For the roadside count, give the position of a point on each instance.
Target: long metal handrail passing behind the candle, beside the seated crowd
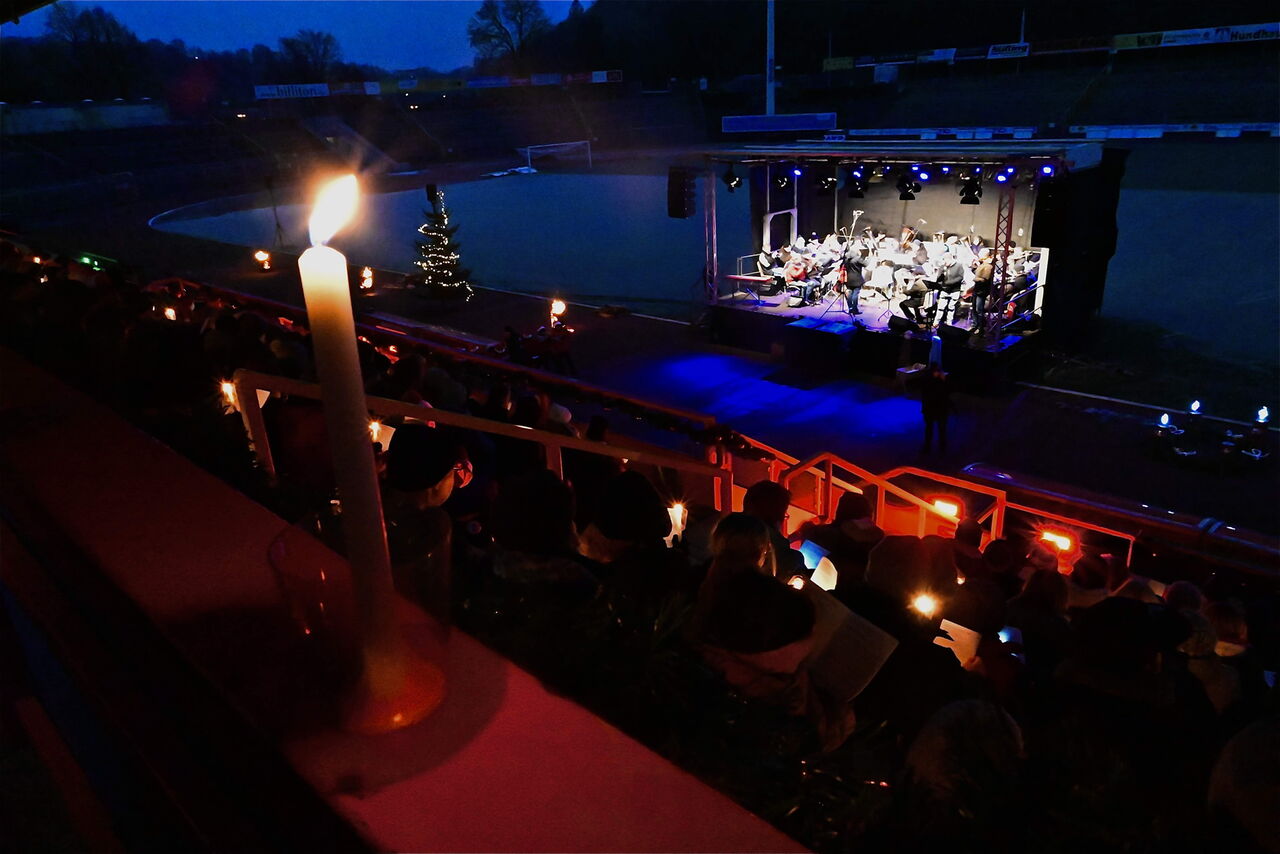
(248, 385)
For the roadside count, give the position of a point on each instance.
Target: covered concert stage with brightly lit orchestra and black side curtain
(922, 226)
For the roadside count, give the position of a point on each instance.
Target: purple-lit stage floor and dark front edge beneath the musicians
(824, 341)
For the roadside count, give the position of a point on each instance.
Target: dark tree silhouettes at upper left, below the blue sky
(89, 54)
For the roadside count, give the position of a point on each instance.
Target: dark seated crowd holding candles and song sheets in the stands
(947, 693)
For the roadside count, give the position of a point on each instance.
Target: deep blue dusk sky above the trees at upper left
(392, 34)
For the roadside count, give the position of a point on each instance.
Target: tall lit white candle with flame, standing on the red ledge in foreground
(397, 688)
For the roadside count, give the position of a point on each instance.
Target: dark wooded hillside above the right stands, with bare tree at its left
(653, 40)
